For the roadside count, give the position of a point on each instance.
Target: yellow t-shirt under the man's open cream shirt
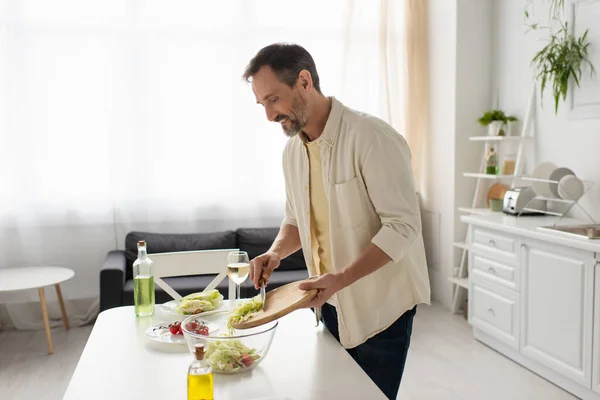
(319, 212)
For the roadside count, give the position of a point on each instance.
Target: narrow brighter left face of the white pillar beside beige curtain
(438, 195)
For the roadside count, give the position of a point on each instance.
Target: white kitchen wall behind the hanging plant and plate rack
(566, 142)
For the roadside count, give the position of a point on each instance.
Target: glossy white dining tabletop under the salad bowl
(304, 362)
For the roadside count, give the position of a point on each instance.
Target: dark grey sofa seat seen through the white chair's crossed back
(183, 285)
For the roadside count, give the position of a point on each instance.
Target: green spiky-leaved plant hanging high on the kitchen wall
(562, 59)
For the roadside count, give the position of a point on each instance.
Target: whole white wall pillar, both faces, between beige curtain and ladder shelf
(460, 77)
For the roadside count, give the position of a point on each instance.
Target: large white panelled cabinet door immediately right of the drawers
(557, 309)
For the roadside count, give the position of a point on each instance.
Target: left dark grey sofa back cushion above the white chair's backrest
(170, 242)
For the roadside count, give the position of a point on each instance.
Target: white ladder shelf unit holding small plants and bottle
(460, 279)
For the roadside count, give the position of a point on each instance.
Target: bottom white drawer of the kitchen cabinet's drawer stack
(495, 313)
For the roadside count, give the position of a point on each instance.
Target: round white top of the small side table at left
(12, 279)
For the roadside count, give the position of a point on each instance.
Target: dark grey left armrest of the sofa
(112, 279)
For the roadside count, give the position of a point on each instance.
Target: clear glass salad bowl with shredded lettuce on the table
(241, 352)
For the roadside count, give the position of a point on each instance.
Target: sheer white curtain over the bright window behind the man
(118, 115)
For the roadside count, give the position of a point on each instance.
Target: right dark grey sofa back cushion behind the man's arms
(256, 241)
